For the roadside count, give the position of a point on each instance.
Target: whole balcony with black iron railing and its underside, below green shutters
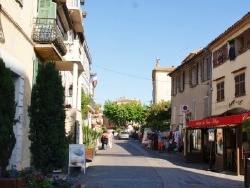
(48, 39)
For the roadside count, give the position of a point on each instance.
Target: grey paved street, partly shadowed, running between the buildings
(130, 165)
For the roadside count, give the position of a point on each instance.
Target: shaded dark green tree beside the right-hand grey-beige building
(159, 116)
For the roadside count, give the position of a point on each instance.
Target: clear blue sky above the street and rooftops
(126, 36)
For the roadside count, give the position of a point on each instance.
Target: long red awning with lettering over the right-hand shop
(219, 121)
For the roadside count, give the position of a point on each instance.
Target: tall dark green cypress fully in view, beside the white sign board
(47, 121)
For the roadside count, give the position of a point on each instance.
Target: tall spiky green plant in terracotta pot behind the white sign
(90, 137)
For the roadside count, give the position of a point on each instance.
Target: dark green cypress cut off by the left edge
(7, 115)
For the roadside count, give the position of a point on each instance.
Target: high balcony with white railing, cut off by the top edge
(75, 12)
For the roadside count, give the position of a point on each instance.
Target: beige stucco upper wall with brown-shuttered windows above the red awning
(226, 70)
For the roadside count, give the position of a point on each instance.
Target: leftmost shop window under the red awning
(194, 140)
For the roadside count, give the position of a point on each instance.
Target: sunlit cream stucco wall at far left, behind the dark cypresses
(17, 27)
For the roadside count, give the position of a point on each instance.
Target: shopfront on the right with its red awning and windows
(218, 140)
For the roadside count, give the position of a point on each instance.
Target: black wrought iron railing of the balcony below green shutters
(45, 31)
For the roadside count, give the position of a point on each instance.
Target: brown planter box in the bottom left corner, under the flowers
(12, 182)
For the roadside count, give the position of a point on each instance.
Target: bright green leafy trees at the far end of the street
(120, 114)
